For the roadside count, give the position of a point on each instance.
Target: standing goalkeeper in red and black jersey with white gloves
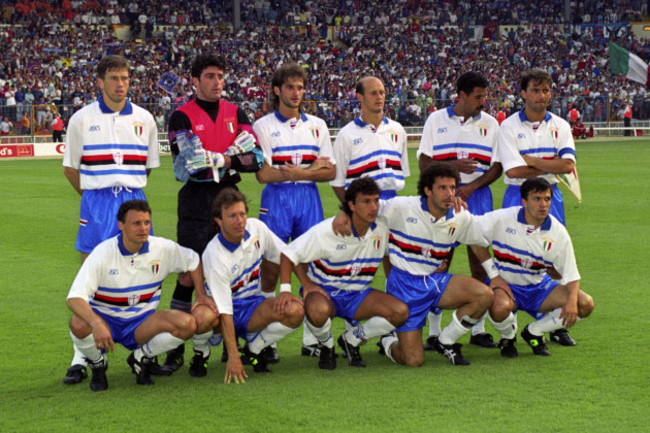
(211, 141)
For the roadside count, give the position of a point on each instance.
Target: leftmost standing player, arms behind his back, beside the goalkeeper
(111, 147)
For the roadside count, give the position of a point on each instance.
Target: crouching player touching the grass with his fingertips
(231, 263)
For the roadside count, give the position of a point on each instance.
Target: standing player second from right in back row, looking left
(466, 137)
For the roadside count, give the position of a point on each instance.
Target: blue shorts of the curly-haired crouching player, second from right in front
(420, 293)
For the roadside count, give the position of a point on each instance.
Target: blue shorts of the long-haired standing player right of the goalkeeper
(290, 209)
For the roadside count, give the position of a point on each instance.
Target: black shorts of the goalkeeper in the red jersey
(194, 228)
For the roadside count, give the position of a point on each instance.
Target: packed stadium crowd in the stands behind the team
(51, 47)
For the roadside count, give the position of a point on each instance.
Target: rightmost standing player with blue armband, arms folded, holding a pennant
(535, 142)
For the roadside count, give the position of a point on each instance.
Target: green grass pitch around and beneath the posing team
(601, 385)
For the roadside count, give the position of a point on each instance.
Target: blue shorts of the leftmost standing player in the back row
(98, 214)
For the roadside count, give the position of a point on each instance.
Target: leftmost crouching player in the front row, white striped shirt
(117, 290)
